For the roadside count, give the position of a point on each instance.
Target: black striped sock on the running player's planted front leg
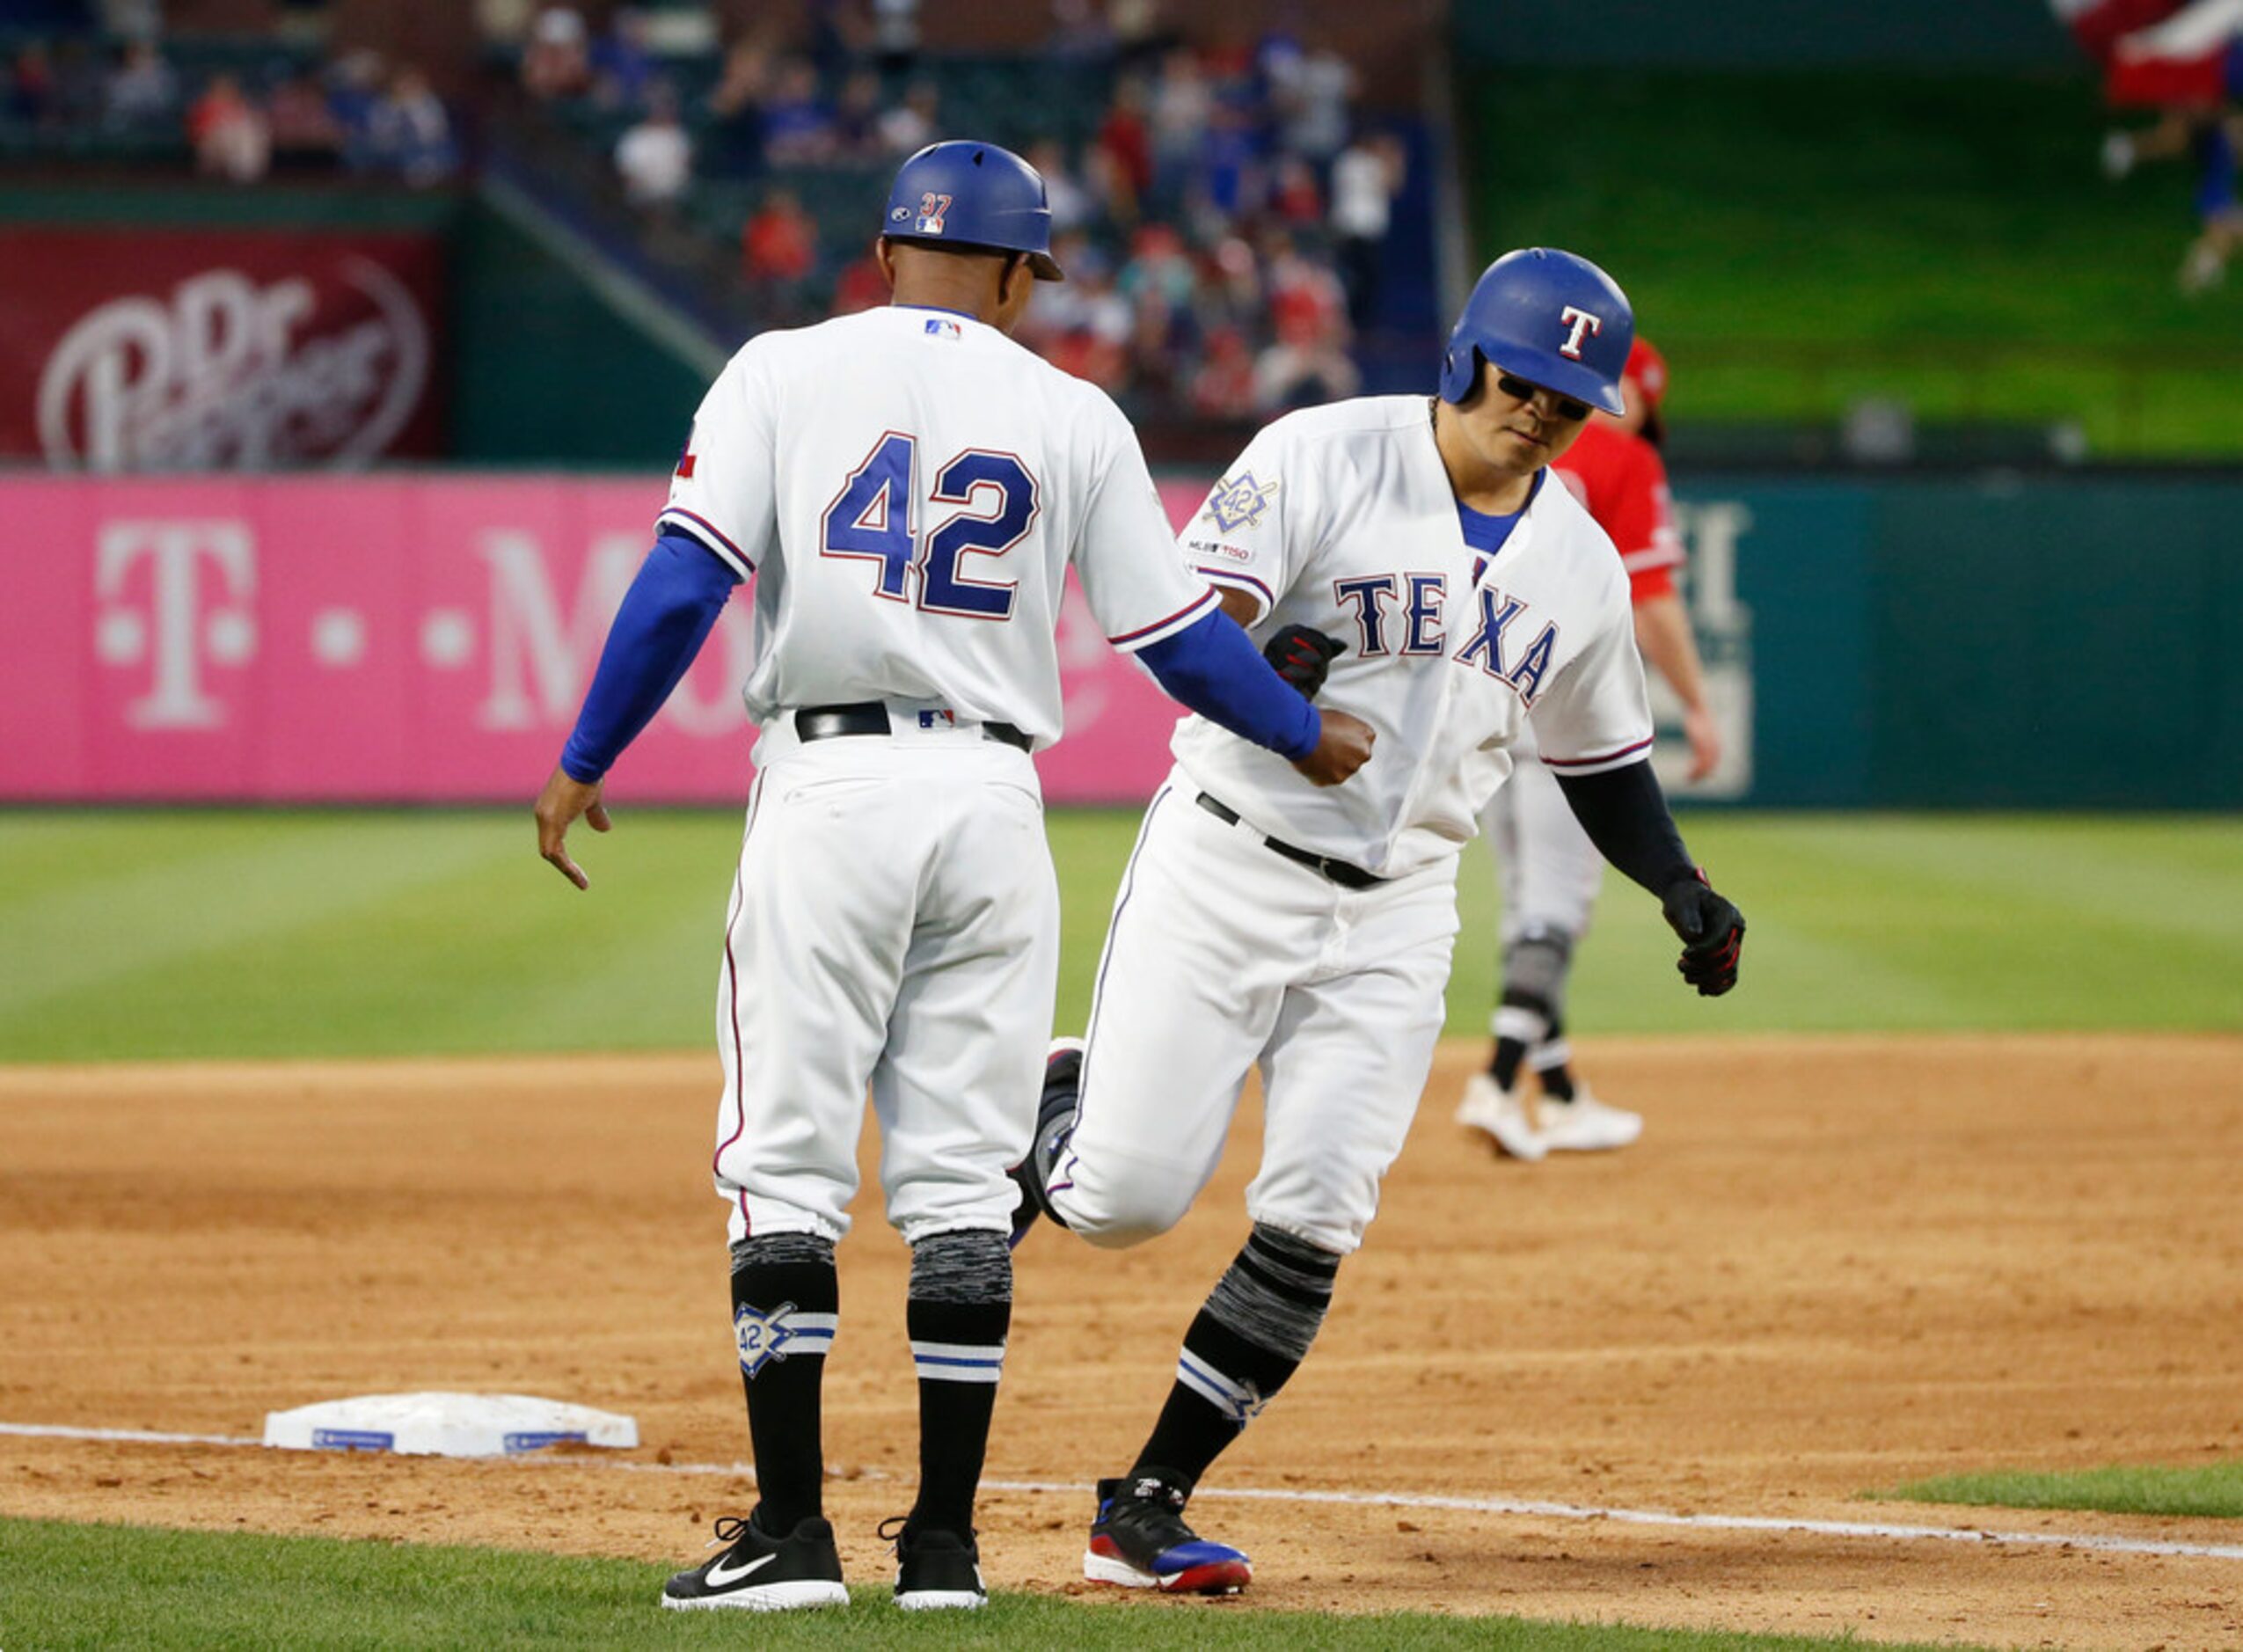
(1239, 1352)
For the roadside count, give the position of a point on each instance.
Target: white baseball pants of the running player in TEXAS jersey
(1226, 955)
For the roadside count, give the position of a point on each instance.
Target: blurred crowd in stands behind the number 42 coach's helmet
(1221, 214)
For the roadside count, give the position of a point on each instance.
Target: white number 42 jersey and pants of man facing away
(907, 488)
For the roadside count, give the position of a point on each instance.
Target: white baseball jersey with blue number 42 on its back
(912, 542)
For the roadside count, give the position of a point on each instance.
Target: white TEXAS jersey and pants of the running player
(1224, 955)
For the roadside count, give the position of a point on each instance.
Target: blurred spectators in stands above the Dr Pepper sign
(118, 86)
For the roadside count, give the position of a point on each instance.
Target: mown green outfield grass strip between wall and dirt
(250, 935)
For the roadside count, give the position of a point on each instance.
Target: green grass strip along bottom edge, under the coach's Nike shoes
(107, 1588)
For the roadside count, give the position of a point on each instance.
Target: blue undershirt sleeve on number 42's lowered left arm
(665, 618)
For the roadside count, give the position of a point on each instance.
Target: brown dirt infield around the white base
(1831, 1265)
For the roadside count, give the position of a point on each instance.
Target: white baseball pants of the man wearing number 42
(896, 924)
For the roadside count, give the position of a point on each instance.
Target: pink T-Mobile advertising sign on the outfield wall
(403, 639)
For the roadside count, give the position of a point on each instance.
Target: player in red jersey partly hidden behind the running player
(1551, 872)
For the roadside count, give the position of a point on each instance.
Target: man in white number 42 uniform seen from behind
(907, 490)
